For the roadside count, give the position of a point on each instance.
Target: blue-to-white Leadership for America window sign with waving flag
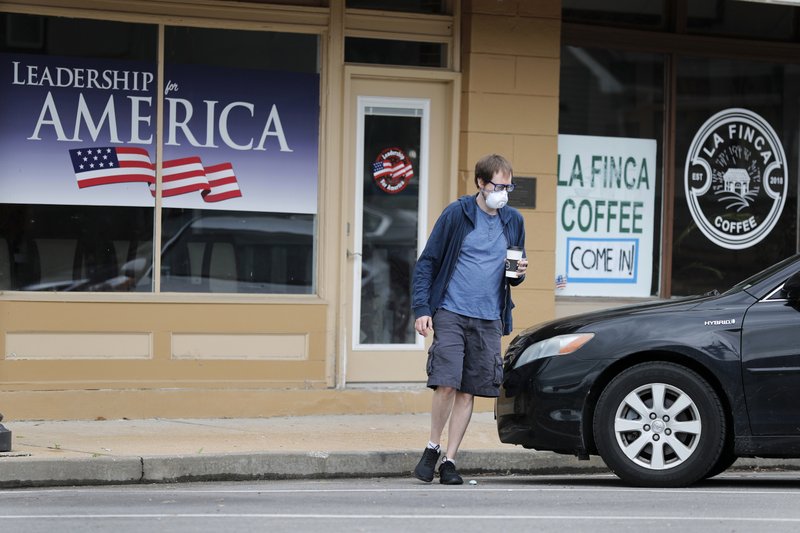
(79, 131)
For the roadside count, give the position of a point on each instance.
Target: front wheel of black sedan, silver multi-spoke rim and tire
(659, 424)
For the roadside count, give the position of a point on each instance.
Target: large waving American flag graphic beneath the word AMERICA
(122, 164)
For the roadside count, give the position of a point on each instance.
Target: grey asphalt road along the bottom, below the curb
(749, 502)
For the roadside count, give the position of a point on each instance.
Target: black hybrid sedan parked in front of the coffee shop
(667, 393)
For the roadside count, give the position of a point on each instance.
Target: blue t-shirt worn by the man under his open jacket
(476, 285)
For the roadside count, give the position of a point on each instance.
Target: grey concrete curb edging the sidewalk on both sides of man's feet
(18, 472)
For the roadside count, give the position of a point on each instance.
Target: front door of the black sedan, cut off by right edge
(771, 365)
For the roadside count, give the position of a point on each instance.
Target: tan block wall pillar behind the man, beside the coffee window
(511, 56)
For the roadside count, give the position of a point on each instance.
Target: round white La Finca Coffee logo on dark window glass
(735, 180)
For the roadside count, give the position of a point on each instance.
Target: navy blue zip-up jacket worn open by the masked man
(437, 263)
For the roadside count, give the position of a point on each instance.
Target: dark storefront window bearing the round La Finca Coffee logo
(736, 150)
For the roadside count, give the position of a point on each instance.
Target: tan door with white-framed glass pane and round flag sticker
(400, 162)
